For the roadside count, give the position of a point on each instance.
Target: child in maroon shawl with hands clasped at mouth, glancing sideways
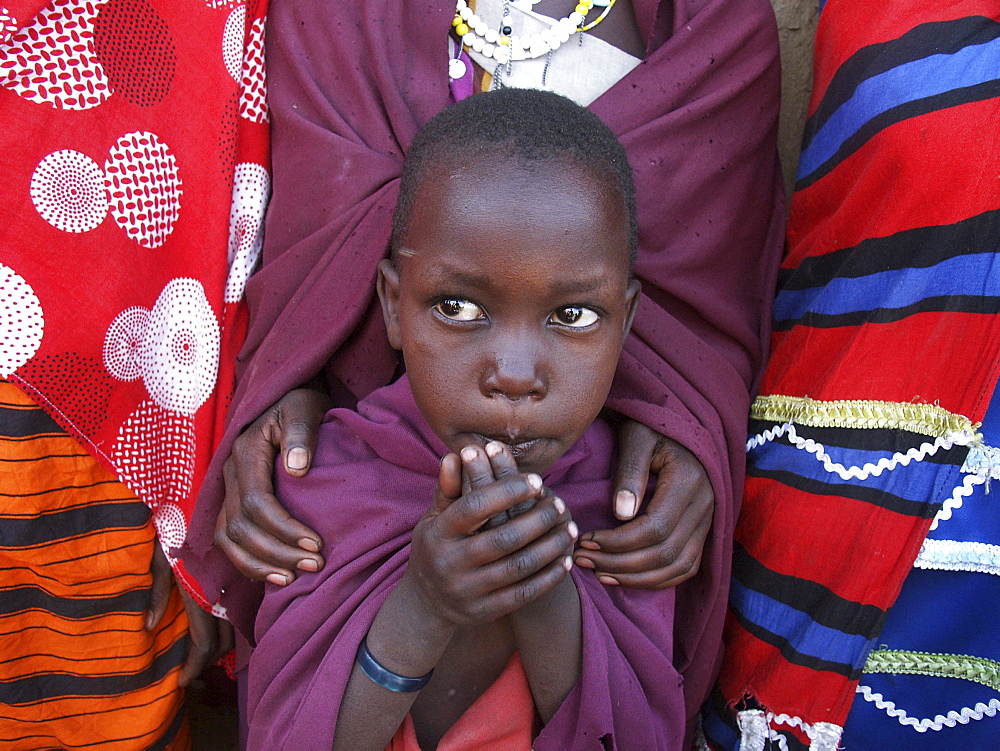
(449, 613)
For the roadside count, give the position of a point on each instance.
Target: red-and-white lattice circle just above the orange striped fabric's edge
(154, 455)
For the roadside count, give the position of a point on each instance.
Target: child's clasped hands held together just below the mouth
(468, 569)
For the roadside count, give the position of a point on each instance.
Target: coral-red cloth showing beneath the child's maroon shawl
(502, 718)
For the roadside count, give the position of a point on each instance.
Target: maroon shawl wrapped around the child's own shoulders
(373, 479)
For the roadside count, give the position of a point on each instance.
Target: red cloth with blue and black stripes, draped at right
(886, 352)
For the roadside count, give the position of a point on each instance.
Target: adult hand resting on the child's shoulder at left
(261, 539)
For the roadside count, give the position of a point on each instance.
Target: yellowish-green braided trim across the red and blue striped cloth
(925, 419)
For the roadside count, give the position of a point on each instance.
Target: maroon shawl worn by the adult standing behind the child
(349, 88)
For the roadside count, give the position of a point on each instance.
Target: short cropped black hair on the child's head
(523, 124)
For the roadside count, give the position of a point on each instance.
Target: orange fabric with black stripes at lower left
(77, 667)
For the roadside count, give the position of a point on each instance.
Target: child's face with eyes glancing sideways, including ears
(511, 303)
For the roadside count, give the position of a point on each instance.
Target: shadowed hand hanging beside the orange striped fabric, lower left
(211, 637)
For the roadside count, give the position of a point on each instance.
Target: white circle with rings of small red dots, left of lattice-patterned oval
(67, 189)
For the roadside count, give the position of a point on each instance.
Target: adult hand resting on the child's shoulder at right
(662, 547)
